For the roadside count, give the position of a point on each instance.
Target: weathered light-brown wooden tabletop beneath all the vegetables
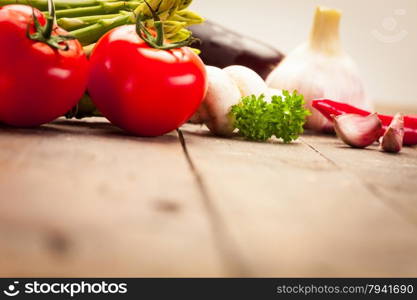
(81, 198)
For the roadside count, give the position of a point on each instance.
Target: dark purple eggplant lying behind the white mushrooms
(221, 47)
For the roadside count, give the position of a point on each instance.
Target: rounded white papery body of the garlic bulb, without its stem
(316, 76)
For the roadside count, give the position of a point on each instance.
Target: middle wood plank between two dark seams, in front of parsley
(293, 212)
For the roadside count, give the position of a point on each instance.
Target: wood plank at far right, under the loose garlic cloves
(391, 178)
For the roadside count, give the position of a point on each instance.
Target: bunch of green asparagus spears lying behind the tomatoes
(89, 20)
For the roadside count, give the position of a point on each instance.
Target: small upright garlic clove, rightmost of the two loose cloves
(392, 140)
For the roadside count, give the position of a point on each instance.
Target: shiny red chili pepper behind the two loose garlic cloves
(330, 108)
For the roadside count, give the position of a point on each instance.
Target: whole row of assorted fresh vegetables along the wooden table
(143, 77)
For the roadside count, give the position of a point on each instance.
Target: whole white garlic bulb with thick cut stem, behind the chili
(321, 69)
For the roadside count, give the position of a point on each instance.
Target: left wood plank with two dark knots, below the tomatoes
(83, 199)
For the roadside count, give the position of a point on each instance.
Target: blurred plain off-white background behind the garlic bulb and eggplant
(381, 35)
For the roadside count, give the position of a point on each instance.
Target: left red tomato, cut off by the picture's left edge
(37, 82)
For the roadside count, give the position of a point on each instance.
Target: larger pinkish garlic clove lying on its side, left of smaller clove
(358, 131)
